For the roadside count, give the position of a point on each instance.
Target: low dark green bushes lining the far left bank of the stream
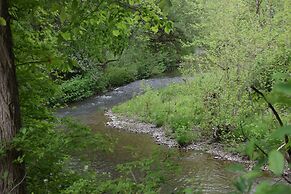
(137, 62)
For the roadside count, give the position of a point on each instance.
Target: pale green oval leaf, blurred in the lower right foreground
(276, 162)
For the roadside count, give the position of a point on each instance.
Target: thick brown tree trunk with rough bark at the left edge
(12, 173)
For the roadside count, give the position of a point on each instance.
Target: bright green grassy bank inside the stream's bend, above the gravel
(208, 107)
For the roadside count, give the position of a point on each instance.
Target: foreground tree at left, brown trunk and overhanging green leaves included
(41, 30)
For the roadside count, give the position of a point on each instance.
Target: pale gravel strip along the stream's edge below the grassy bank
(160, 137)
